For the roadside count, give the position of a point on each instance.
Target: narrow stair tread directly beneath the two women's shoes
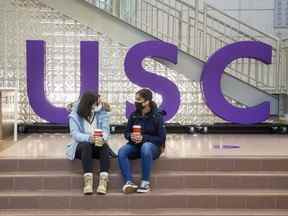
(155, 192)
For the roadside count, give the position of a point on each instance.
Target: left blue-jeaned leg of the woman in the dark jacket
(126, 151)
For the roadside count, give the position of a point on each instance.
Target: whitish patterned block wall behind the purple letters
(23, 20)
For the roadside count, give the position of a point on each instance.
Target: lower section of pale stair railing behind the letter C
(221, 29)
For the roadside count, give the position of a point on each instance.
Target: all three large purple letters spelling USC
(210, 80)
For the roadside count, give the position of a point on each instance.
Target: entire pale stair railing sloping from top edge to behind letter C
(200, 30)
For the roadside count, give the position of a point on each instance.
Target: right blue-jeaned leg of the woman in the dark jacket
(149, 152)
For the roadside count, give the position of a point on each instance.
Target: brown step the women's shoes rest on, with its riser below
(157, 199)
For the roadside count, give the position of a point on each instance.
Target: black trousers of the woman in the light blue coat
(86, 152)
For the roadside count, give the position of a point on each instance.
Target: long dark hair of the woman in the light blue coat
(87, 100)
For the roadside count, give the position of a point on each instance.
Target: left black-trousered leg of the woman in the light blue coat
(84, 152)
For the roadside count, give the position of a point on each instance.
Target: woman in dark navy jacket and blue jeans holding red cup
(147, 145)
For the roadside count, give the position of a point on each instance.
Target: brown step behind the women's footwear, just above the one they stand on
(70, 180)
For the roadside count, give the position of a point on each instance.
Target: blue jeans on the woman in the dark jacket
(147, 152)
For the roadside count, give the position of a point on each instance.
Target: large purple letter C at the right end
(211, 82)
